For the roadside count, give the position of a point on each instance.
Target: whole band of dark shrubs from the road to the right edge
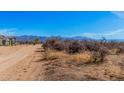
(99, 49)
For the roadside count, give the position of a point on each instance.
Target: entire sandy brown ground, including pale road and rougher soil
(25, 63)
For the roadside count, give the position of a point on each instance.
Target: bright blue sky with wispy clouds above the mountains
(93, 24)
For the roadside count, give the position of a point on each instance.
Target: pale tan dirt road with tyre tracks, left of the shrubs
(20, 62)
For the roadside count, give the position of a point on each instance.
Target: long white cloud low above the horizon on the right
(115, 34)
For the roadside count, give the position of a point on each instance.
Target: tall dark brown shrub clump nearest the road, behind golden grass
(70, 46)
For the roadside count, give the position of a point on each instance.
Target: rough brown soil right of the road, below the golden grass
(112, 69)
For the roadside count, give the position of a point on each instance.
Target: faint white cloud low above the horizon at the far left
(7, 32)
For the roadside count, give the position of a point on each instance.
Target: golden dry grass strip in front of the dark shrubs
(79, 58)
